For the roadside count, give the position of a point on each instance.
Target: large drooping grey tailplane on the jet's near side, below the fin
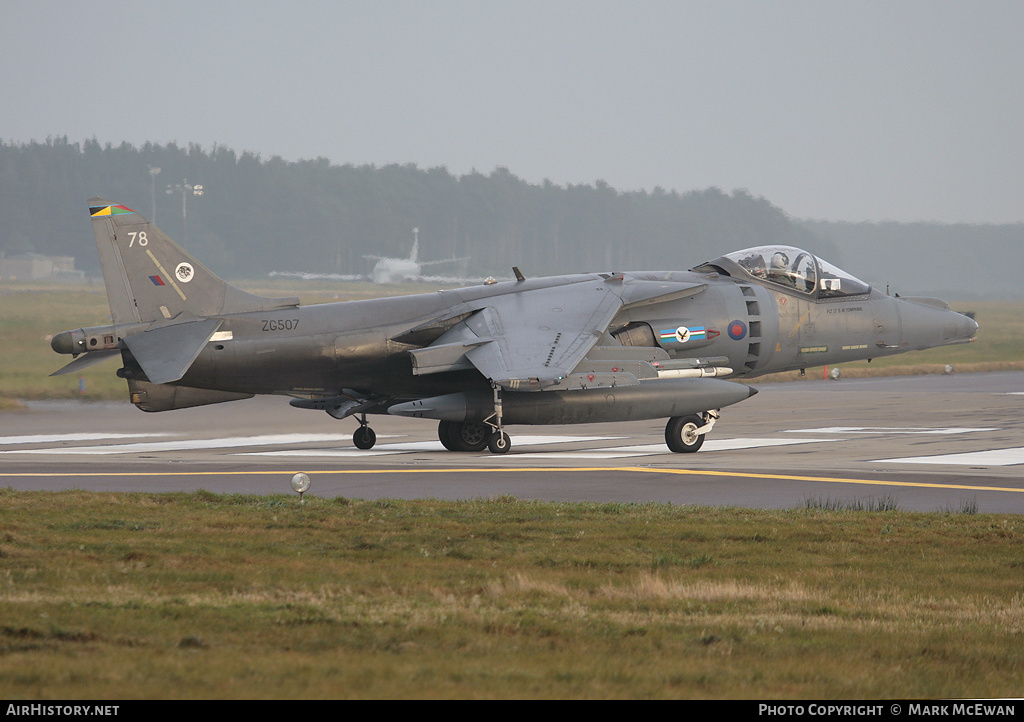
(165, 354)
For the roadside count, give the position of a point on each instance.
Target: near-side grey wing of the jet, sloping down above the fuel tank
(534, 339)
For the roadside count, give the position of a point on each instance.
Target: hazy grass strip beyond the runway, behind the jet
(31, 314)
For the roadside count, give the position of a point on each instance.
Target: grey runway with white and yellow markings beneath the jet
(928, 443)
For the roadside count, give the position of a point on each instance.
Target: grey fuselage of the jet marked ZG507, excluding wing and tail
(321, 351)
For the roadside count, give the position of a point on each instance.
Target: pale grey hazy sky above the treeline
(834, 110)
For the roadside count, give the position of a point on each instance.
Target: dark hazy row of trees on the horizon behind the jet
(261, 216)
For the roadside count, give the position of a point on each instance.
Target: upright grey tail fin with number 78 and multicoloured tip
(150, 278)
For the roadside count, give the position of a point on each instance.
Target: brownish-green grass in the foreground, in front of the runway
(207, 597)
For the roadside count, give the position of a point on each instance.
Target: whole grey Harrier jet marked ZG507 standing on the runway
(590, 348)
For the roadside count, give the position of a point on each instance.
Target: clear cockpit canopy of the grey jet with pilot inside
(794, 270)
